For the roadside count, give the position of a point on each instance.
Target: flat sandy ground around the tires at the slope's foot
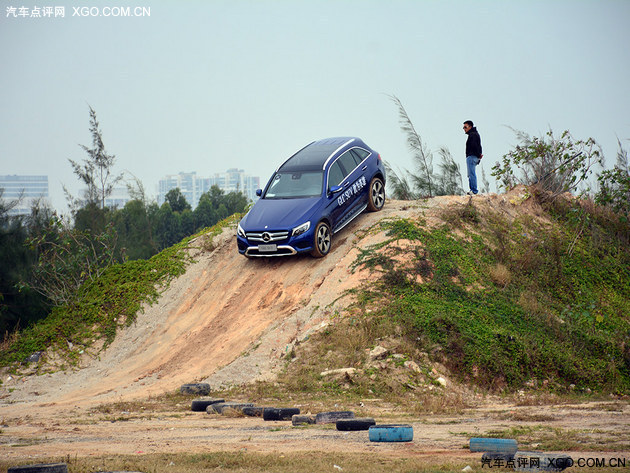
(45, 432)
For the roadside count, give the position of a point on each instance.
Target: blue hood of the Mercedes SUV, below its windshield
(276, 214)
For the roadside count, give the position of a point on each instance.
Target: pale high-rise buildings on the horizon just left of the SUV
(192, 186)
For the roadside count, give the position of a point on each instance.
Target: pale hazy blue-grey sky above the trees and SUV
(207, 85)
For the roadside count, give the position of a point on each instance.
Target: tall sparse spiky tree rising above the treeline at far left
(95, 171)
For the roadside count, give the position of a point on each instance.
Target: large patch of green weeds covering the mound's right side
(508, 303)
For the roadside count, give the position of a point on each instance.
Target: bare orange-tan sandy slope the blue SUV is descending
(224, 306)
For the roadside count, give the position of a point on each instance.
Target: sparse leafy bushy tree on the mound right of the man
(555, 165)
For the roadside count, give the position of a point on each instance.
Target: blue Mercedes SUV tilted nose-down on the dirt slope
(311, 196)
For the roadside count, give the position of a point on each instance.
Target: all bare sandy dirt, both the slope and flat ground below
(229, 321)
